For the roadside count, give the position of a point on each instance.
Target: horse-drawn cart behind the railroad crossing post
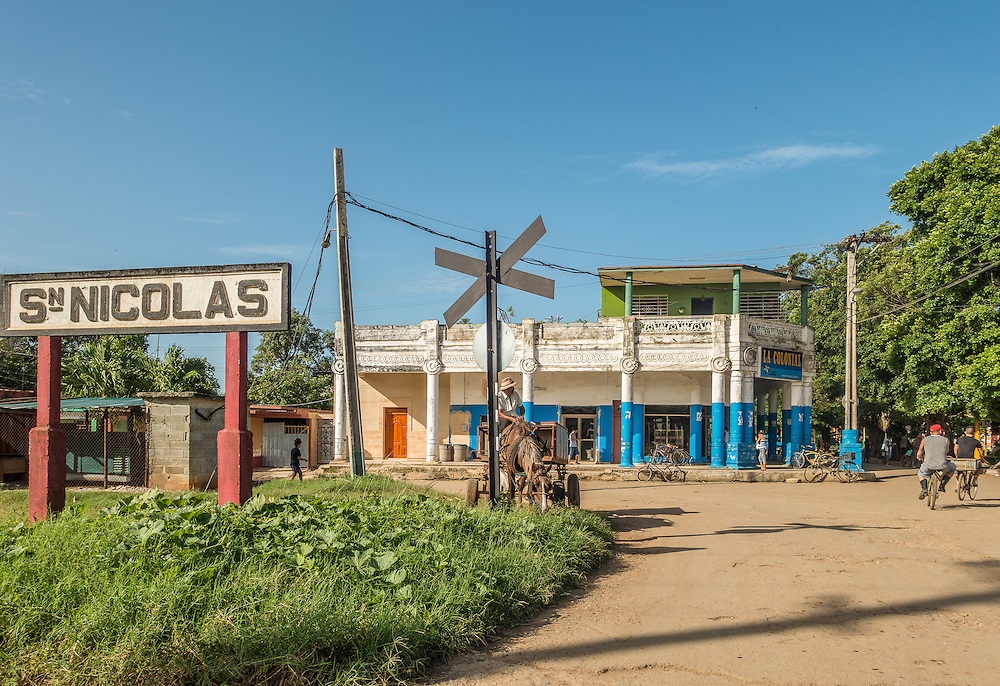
(554, 485)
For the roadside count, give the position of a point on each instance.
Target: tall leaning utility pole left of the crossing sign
(352, 398)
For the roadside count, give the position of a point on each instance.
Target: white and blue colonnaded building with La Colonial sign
(697, 356)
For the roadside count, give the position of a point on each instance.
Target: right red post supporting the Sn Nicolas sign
(234, 441)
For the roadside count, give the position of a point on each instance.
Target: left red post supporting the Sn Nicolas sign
(47, 441)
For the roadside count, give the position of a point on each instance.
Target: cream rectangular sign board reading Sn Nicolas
(242, 297)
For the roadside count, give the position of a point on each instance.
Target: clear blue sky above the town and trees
(190, 133)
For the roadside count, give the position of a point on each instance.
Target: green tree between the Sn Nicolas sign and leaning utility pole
(294, 366)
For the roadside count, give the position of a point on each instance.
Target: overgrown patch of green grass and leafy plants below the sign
(337, 581)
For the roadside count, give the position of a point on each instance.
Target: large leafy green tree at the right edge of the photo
(947, 326)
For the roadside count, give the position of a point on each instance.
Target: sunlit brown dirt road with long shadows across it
(771, 583)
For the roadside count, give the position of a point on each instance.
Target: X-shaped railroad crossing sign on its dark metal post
(489, 273)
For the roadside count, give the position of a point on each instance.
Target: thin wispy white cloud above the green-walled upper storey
(770, 159)
